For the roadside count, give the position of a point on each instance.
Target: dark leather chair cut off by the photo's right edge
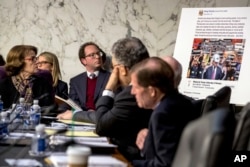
(242, 132)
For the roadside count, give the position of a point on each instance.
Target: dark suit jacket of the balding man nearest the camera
(165, 127)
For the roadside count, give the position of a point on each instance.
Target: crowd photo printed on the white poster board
(216, 59)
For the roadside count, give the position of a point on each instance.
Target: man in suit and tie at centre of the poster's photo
(214, 71)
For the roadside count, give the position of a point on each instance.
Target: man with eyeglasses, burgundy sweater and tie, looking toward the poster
(87, 87)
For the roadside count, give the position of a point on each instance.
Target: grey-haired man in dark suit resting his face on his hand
(119, 117)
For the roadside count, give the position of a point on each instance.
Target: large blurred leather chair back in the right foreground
(207, 141)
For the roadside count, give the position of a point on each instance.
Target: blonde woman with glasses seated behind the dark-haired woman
(49, 61)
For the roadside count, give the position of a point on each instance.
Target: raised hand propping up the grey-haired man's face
(113, 82)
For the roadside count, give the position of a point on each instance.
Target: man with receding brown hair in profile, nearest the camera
(154, 86)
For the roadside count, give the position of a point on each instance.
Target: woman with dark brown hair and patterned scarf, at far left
(21, 80)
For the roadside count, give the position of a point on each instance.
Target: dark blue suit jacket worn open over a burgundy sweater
(78, 87)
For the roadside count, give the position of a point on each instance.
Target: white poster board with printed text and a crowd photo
(210, 36)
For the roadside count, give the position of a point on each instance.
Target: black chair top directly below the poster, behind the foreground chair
(221, 98)
